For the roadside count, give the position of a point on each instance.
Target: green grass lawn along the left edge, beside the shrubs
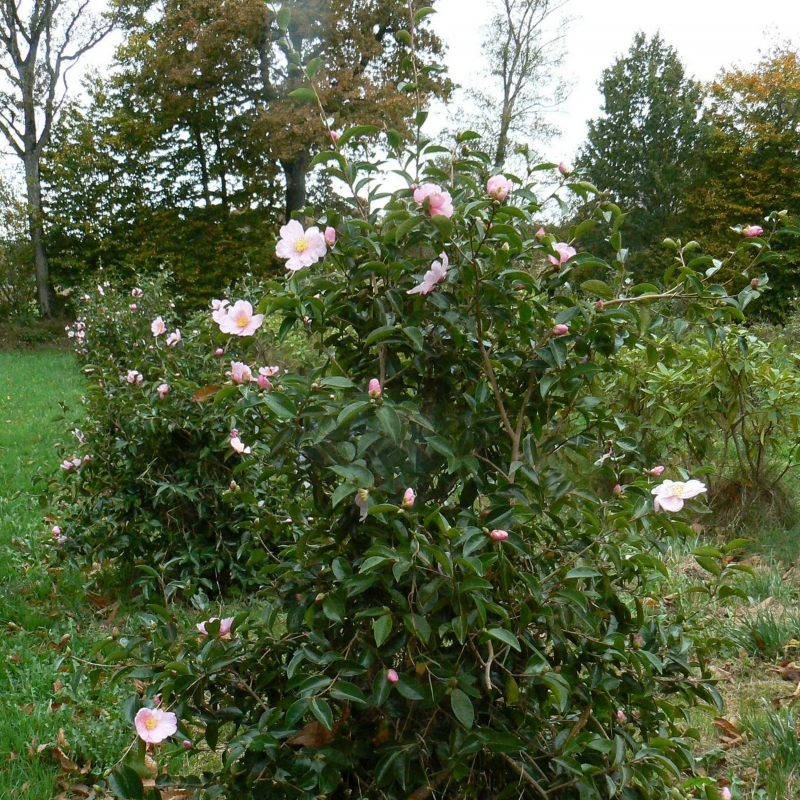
(44, 615)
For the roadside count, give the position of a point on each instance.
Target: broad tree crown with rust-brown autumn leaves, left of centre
(216, 75)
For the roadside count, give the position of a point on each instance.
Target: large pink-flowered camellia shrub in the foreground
(456, 541)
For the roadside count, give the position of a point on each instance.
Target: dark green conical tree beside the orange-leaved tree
(642, 147)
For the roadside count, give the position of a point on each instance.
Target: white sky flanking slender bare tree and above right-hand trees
(708, 35)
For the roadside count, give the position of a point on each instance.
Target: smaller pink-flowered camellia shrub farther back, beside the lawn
(146, 481)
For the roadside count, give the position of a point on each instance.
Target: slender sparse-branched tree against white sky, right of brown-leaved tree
(524, 47)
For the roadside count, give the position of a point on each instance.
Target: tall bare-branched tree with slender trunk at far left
(39, 41)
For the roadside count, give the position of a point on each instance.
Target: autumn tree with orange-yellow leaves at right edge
(748, 166)
